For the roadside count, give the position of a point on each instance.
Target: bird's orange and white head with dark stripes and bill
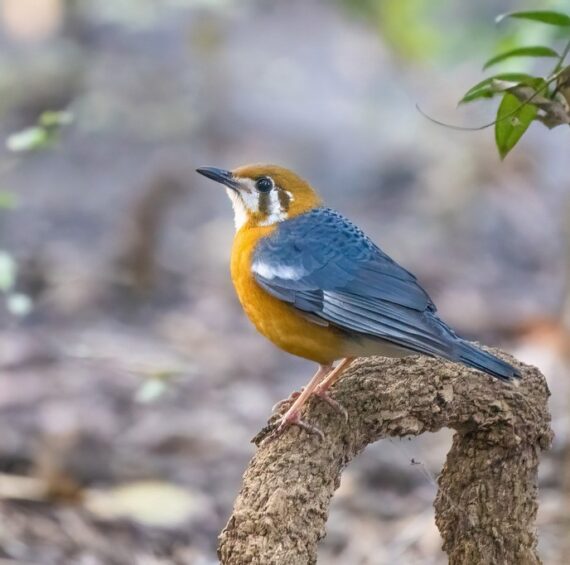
(263, 195)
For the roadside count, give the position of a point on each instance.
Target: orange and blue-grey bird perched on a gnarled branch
(318, 287)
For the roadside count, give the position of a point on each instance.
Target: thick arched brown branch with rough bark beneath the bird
(487, 499)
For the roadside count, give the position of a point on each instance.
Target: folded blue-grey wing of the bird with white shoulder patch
(325, 266)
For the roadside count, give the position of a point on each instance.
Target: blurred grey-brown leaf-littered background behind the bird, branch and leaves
(130, 381)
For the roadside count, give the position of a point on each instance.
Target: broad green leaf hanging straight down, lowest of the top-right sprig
(513, 119)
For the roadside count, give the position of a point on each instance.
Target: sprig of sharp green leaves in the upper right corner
(525, 97)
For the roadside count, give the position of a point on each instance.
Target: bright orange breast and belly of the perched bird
(276, 320)
